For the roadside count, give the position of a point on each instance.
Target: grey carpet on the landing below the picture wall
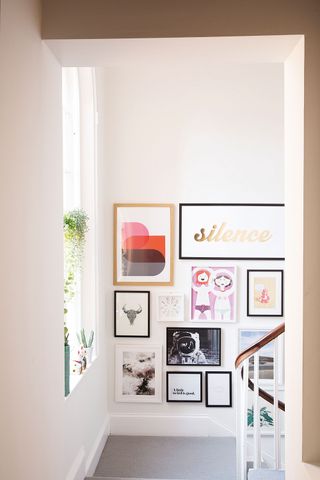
(174, 458)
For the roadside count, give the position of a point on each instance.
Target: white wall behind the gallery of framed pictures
(174, 134)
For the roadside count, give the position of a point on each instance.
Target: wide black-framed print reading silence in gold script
(234, 231)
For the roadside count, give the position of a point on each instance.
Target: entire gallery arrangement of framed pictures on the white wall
(143, 255)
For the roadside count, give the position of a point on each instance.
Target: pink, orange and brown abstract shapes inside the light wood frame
(142, 254)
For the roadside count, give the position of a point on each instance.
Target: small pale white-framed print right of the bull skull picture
(170, 307)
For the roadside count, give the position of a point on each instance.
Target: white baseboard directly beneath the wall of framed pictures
(161, 425)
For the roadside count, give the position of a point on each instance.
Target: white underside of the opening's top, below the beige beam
(117, 52)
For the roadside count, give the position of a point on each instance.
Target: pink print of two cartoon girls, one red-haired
(213, 294)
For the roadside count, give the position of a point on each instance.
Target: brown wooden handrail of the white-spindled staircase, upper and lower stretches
(269, 337)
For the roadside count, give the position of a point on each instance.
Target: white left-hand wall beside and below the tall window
(42, 435)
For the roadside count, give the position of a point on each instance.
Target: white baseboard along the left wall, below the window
(85, 464)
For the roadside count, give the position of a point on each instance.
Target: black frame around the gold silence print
(181, 205)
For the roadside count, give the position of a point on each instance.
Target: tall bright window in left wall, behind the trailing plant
(79, 190)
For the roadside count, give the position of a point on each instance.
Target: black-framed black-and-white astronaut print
(193, 346)
